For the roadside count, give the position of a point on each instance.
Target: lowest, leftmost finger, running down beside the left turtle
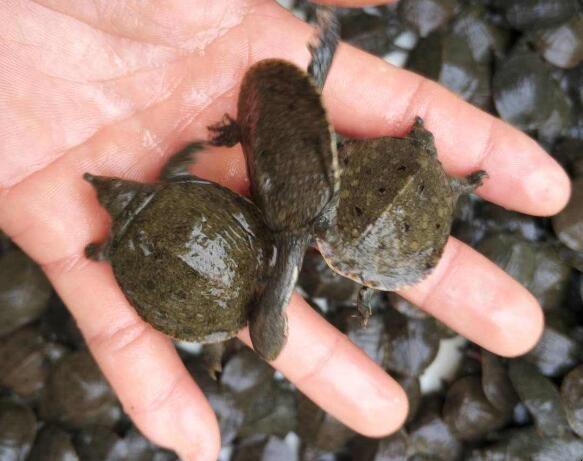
(141, 364)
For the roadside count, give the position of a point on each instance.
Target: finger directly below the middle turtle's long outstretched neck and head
(337, 375)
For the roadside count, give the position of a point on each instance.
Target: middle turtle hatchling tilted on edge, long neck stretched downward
(292, 162)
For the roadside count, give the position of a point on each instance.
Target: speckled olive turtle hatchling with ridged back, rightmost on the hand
(394, 212)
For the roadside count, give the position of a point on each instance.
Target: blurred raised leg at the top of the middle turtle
(323, 46)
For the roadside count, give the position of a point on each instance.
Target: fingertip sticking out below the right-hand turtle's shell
(476, 298)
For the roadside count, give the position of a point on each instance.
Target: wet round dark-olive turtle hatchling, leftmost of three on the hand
(189, 254)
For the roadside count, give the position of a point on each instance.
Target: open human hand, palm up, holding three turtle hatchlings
(115, 88)
